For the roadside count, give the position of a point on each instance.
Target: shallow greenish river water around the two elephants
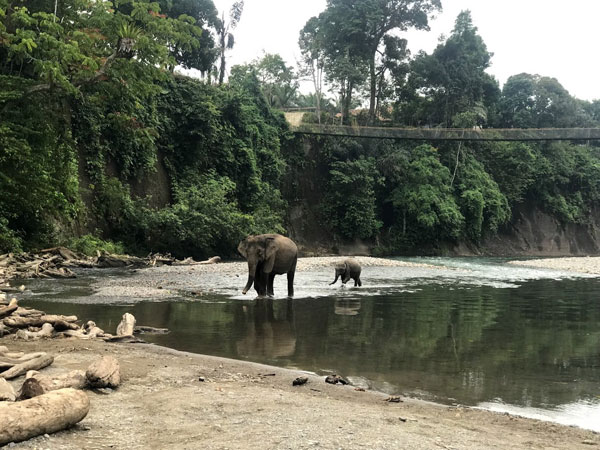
(475, 331)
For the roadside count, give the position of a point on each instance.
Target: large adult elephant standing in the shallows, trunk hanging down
(269, 255)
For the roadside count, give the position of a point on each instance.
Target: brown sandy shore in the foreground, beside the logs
(163, 403)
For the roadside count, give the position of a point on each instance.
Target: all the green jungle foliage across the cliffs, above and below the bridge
(103, 146)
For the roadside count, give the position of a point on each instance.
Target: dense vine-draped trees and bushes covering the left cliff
(89, 112)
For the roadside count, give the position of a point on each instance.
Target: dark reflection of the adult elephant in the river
(268, 336)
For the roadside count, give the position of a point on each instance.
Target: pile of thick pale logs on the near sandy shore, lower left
(46, 404)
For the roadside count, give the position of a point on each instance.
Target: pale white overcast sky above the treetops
(555, 38)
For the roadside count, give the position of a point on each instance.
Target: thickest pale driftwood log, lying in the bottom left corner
(48, 413)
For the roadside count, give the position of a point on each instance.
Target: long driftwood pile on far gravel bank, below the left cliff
(57, 262)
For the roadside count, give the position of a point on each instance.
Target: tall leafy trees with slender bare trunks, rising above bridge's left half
(355, 41)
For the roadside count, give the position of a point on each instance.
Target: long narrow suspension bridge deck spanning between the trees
(452, 134)
